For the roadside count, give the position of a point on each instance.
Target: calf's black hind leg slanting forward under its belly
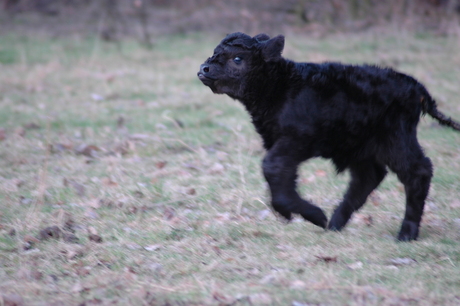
(365, 177)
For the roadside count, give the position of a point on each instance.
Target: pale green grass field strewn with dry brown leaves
(124, 180)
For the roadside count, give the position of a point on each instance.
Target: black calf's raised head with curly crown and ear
(239, 60)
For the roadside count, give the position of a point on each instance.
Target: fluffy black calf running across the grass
(363, 118)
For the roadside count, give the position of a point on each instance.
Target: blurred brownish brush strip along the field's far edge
(115, 20)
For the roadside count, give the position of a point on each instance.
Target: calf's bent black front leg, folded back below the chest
(280, 170)
